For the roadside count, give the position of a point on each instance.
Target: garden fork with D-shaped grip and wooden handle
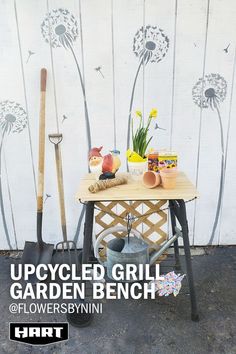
(69, 246)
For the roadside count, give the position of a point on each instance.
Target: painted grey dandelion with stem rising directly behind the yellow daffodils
(150, 46)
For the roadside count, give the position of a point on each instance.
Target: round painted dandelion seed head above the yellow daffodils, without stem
(150, 44)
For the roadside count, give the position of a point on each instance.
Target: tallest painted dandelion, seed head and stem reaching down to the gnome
(60, 29)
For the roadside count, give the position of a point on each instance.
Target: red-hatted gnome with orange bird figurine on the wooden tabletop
(104, 167)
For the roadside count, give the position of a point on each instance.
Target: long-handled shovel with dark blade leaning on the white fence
(39, 252)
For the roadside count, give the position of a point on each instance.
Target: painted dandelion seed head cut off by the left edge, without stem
(13, 117)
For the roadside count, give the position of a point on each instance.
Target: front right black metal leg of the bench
(184, 225)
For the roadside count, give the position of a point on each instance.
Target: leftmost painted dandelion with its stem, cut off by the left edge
(13, 119)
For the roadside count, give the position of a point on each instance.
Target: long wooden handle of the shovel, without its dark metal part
(41, 142)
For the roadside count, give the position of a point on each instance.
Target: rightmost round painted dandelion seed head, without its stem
(209, 91)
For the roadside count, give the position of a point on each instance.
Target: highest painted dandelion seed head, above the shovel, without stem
(60, 28)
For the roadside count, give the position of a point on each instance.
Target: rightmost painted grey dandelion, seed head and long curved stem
(210, 92)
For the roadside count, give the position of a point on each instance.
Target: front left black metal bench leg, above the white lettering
(88, 232)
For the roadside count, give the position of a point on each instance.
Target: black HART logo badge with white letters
(39, 333)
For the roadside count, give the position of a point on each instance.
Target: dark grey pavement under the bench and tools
(148, 326)
